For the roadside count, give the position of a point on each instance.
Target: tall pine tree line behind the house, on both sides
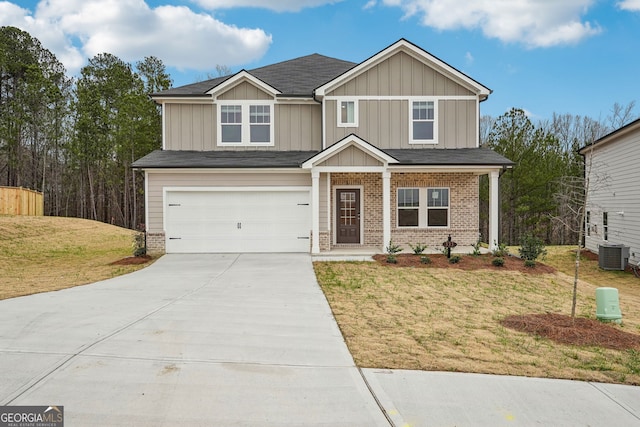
(74, 139)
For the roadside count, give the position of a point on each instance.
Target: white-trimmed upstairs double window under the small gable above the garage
(245, 123)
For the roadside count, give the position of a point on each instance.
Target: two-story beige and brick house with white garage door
(317, 153)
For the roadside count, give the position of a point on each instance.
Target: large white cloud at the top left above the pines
(75, 30)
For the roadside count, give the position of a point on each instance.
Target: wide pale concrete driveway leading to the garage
(213, 339)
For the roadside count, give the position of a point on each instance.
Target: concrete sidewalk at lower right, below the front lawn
(418, 398)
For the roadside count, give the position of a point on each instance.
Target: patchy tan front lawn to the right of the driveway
(449, 319)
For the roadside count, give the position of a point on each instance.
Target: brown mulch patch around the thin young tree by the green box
(579, 331)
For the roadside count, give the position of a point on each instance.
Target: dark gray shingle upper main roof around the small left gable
(295, 77)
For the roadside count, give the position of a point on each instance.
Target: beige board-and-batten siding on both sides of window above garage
(298, 127)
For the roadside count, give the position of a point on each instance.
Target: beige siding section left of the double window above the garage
(189, 126)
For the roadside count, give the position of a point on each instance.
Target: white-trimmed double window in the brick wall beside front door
(423, 207)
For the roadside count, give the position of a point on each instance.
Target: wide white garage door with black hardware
(237, 221)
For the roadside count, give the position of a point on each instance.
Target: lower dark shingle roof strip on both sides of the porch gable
(162, 159)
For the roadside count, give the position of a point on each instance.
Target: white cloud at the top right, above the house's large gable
(534, 23)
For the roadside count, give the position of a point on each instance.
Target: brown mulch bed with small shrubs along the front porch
(467, 262)
